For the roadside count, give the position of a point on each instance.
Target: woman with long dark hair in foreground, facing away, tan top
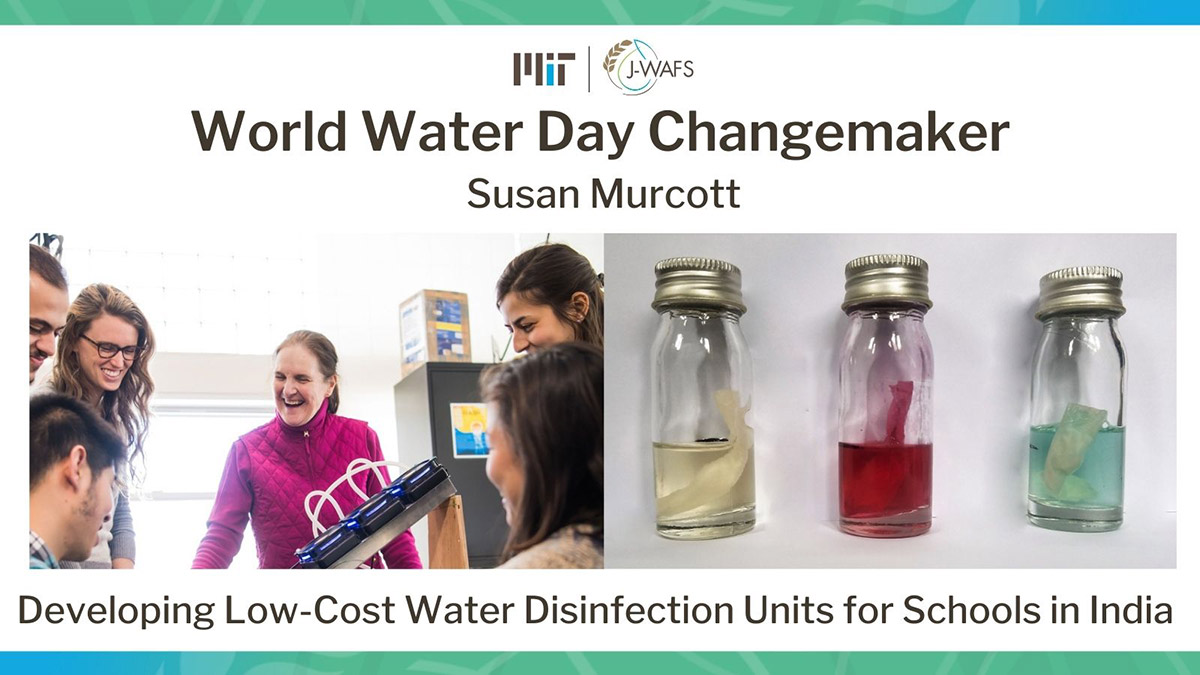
(545, 428)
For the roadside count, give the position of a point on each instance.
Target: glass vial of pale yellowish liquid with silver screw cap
(701, 381)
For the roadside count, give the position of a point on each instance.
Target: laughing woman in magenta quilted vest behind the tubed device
(307, 447)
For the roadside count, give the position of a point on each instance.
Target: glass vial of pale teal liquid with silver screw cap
(1077, 427)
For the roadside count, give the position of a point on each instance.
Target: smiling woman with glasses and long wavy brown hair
(104, 360)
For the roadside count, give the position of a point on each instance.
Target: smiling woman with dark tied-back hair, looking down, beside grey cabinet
(551, 295)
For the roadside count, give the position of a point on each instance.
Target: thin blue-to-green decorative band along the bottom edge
(599, 664)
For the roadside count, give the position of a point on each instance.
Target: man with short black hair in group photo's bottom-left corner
(74, 457)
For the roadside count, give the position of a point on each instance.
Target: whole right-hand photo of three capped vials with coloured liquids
(891, 401)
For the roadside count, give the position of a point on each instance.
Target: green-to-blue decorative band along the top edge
(601, 13)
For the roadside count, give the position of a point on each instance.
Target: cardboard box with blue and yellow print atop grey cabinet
(434, 327)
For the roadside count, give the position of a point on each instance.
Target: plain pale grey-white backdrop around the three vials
(982, 326)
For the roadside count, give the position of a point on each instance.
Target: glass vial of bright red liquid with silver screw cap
(886, 446)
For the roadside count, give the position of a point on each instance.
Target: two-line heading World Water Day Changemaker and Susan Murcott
(668, 132)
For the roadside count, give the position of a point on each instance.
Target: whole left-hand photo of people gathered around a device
(316, 402)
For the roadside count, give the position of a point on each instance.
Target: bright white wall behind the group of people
(352, 289)
